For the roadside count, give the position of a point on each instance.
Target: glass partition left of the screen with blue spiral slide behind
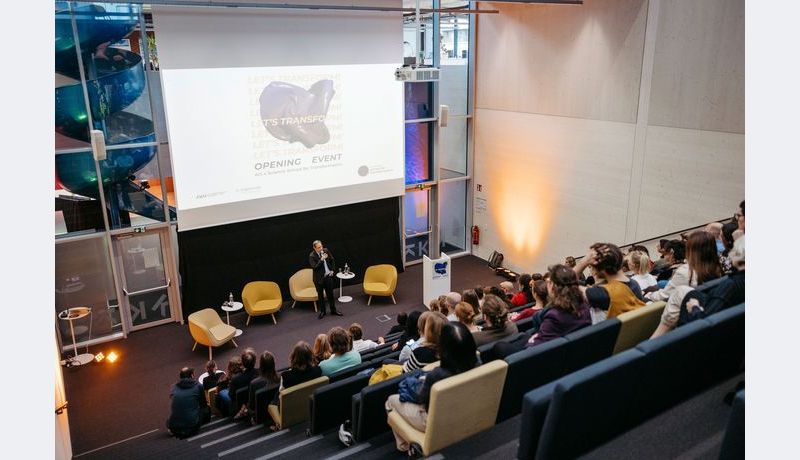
(107, 93)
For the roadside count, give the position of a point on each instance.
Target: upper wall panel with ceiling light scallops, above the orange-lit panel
(577, 61)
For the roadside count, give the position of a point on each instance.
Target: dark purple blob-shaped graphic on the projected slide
(295, 114)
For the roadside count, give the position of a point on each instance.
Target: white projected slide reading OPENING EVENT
(239, 134)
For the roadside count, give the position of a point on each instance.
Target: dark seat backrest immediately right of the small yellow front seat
(330, 404)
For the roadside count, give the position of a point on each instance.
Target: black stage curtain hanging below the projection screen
(217, 260)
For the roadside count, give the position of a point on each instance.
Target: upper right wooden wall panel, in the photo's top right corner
(698, 74)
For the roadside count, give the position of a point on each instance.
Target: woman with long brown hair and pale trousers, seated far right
(702, 265)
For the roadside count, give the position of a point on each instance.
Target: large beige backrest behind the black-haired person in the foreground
(456, 412)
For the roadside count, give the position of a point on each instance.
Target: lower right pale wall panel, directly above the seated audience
(690, 177)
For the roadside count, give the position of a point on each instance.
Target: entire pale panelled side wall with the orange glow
(609, 121)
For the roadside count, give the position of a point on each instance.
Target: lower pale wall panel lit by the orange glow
(550, 186)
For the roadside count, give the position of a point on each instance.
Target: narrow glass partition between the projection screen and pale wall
(438, 156)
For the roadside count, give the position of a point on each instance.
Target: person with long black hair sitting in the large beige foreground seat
(458, 355)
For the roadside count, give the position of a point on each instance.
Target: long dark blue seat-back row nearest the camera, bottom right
(580, 411)
